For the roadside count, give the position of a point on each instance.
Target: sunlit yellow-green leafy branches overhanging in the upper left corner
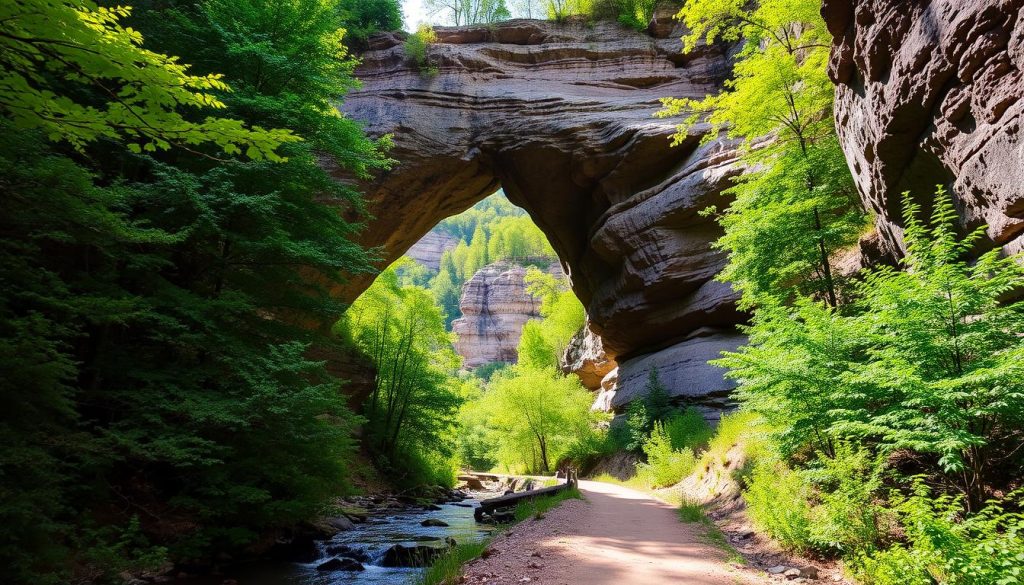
(51, 49)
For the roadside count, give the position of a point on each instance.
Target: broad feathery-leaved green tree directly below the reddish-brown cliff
(928, 360)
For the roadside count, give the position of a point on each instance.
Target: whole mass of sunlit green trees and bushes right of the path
(887, 403)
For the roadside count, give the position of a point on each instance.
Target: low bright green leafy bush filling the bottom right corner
(985, 549)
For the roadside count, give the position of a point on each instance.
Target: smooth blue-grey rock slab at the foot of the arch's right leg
(685, 370)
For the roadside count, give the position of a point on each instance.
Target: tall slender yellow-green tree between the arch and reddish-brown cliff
(798, 204)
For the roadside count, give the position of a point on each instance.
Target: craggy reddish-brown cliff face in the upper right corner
(929, 93)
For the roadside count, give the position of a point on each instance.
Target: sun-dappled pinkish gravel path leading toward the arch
(618, 536)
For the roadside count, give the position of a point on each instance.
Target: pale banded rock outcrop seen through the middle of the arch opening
(495, 306)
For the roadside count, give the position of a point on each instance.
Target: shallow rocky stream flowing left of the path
(380, 532)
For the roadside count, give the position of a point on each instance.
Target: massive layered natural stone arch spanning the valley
(562, 117)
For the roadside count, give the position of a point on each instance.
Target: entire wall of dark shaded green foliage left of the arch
(161, 225)
